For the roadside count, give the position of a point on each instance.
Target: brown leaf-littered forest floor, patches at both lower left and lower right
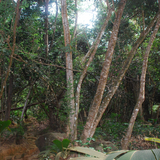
(12, 149)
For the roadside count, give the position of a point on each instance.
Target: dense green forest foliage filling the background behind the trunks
(42, 77)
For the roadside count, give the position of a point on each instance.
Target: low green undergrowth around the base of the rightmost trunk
(114, 131)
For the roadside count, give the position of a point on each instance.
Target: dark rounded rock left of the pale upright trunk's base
(46, 140)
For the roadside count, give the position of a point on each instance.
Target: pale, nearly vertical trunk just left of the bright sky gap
(69, 71)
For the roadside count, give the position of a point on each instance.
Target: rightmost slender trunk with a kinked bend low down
(142, 88)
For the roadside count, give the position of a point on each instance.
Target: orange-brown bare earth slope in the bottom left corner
(12, 149)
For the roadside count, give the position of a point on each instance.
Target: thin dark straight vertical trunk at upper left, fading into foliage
(46, 26)
